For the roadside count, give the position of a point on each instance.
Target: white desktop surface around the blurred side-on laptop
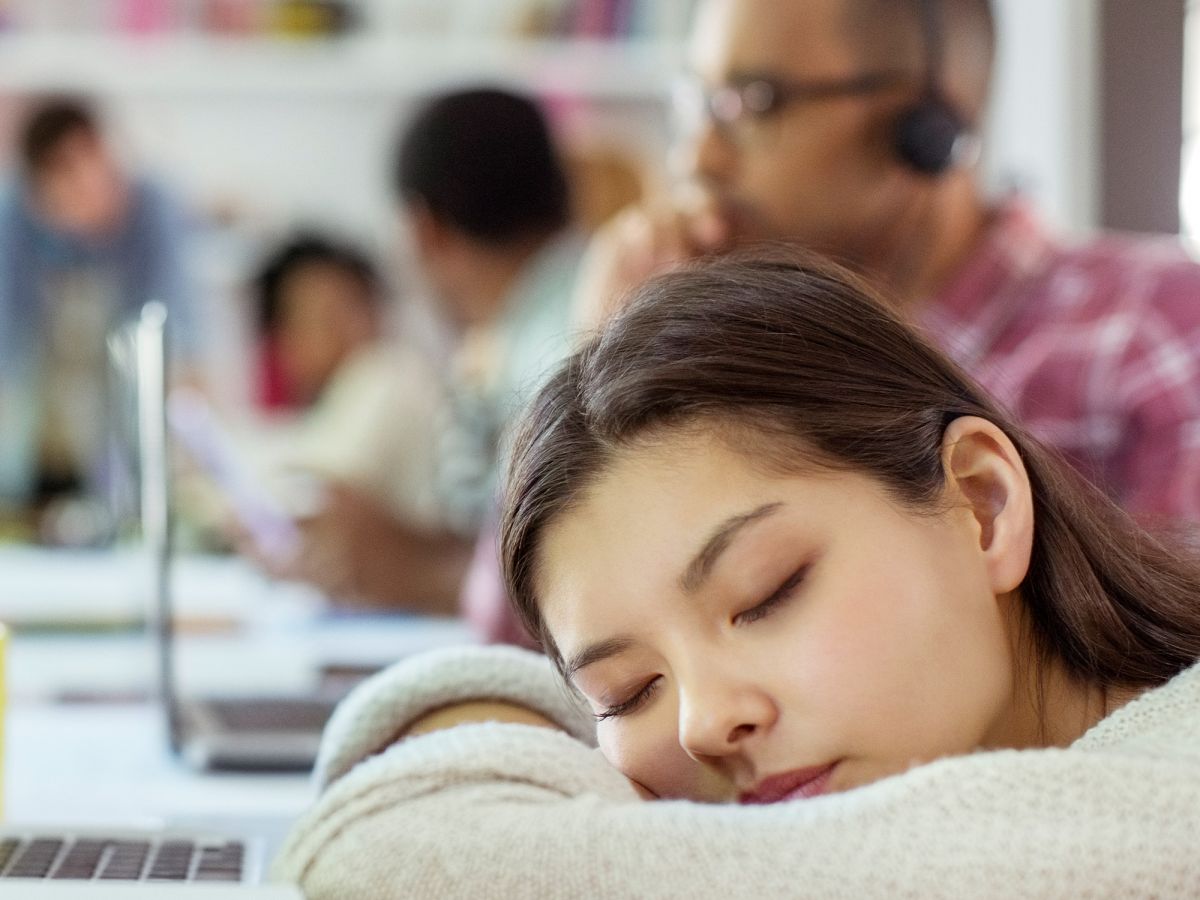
(105, 763)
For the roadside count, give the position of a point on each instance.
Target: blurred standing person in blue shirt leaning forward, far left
(83, 247)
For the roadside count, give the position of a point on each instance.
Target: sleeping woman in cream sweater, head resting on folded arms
(819, 621)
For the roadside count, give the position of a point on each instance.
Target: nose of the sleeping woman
(719, 717)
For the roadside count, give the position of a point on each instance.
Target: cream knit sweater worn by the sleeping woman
(499, 811)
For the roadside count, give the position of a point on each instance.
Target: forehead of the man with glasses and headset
(787, 37)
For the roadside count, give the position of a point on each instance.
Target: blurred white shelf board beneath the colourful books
(349, 67)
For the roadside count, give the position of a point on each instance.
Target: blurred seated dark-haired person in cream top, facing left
(365, 406)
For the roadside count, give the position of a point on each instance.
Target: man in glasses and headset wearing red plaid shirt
(848, 128)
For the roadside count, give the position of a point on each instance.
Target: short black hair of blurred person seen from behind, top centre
(484, 163)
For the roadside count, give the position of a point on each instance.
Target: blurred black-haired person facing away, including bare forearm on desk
(490, 209)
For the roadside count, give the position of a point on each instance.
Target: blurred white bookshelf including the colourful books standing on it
(619, 50)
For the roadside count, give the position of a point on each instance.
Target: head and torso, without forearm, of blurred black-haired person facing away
(489, 203)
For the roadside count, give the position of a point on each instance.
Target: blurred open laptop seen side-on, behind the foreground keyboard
(265, 734)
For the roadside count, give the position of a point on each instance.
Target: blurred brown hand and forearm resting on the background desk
(357, 553)
